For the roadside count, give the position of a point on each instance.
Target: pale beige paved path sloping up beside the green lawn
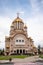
(26, 60)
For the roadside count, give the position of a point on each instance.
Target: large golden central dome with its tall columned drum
(17, 24)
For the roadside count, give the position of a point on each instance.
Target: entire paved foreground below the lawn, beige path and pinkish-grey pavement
(34, 60)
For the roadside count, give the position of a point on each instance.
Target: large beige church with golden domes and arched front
(18, 41)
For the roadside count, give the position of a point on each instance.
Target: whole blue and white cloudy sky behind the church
(30, 11)
